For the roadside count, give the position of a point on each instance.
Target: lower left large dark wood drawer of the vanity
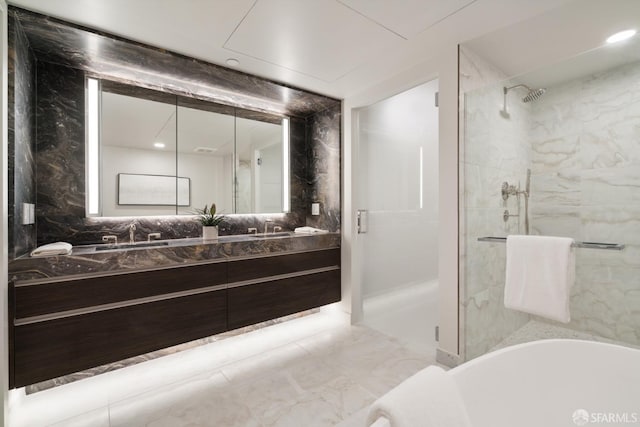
(48, 349)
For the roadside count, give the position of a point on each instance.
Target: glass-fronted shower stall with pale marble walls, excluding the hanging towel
(559, 158)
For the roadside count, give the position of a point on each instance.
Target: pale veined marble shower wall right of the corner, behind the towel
(585, 137)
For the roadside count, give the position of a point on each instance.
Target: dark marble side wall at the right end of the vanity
(324, 178)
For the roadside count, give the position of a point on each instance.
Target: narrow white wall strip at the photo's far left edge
(4, 333)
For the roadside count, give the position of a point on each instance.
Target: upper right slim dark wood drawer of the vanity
(255, 268)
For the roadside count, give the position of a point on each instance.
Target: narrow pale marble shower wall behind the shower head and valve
(493, 149)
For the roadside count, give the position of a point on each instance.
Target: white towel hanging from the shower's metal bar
(539, 276)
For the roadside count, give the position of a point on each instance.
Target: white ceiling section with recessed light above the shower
(563, 44)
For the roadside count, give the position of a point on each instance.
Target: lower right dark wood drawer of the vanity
(258, 302)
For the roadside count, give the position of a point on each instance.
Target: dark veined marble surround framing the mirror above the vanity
(64, 61)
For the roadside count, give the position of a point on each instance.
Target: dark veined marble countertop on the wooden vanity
(92, 259)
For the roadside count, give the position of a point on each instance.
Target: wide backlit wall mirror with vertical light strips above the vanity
(153, 153)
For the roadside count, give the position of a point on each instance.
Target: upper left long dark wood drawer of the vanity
(35, 299)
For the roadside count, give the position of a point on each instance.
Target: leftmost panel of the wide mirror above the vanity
(137, 138)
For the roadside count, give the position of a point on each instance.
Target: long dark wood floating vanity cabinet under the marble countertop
(67, 325)
